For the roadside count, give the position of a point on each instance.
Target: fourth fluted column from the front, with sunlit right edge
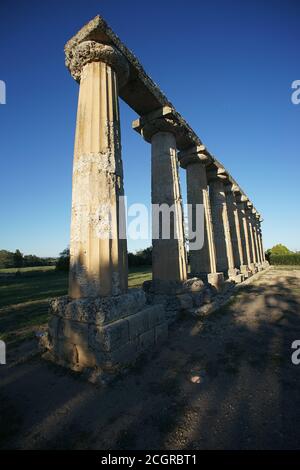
(223, 243)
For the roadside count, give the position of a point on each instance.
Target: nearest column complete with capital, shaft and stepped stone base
(100, 326)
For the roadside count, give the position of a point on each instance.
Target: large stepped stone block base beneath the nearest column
(87, 334)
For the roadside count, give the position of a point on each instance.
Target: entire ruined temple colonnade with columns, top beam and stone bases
(101, 326)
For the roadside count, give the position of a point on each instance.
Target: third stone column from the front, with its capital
(202, 259)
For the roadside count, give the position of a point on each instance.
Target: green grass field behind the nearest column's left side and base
(24, 298)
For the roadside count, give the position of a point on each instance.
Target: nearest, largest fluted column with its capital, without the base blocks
(98, 255)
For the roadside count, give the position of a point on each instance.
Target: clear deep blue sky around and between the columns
(227, 66)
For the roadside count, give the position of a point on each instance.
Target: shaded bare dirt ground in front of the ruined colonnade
(248, 395)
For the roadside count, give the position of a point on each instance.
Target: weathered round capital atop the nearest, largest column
(91, 51)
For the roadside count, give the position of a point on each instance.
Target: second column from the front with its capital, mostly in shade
(168, 251)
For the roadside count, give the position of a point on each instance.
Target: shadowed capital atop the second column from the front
(163, 119)
